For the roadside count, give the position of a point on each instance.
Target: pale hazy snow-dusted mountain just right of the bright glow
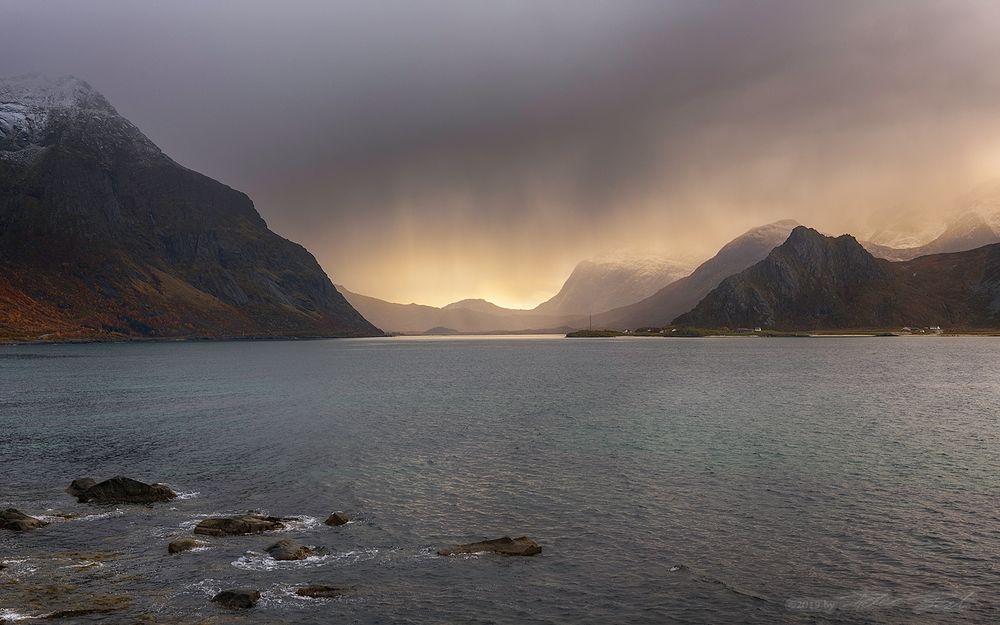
(602, 284)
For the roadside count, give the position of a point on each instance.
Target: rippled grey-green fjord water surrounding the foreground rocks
(668, 480)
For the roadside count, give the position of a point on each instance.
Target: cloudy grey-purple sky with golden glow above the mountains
(435, 150)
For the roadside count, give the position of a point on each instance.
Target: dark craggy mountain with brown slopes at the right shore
(815, 282)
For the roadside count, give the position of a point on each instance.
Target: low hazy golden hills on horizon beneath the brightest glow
(466, 316)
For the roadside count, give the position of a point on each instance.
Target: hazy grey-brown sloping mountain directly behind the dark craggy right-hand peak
(682, 295)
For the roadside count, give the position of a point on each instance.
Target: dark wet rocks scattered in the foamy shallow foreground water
(207, 534)
